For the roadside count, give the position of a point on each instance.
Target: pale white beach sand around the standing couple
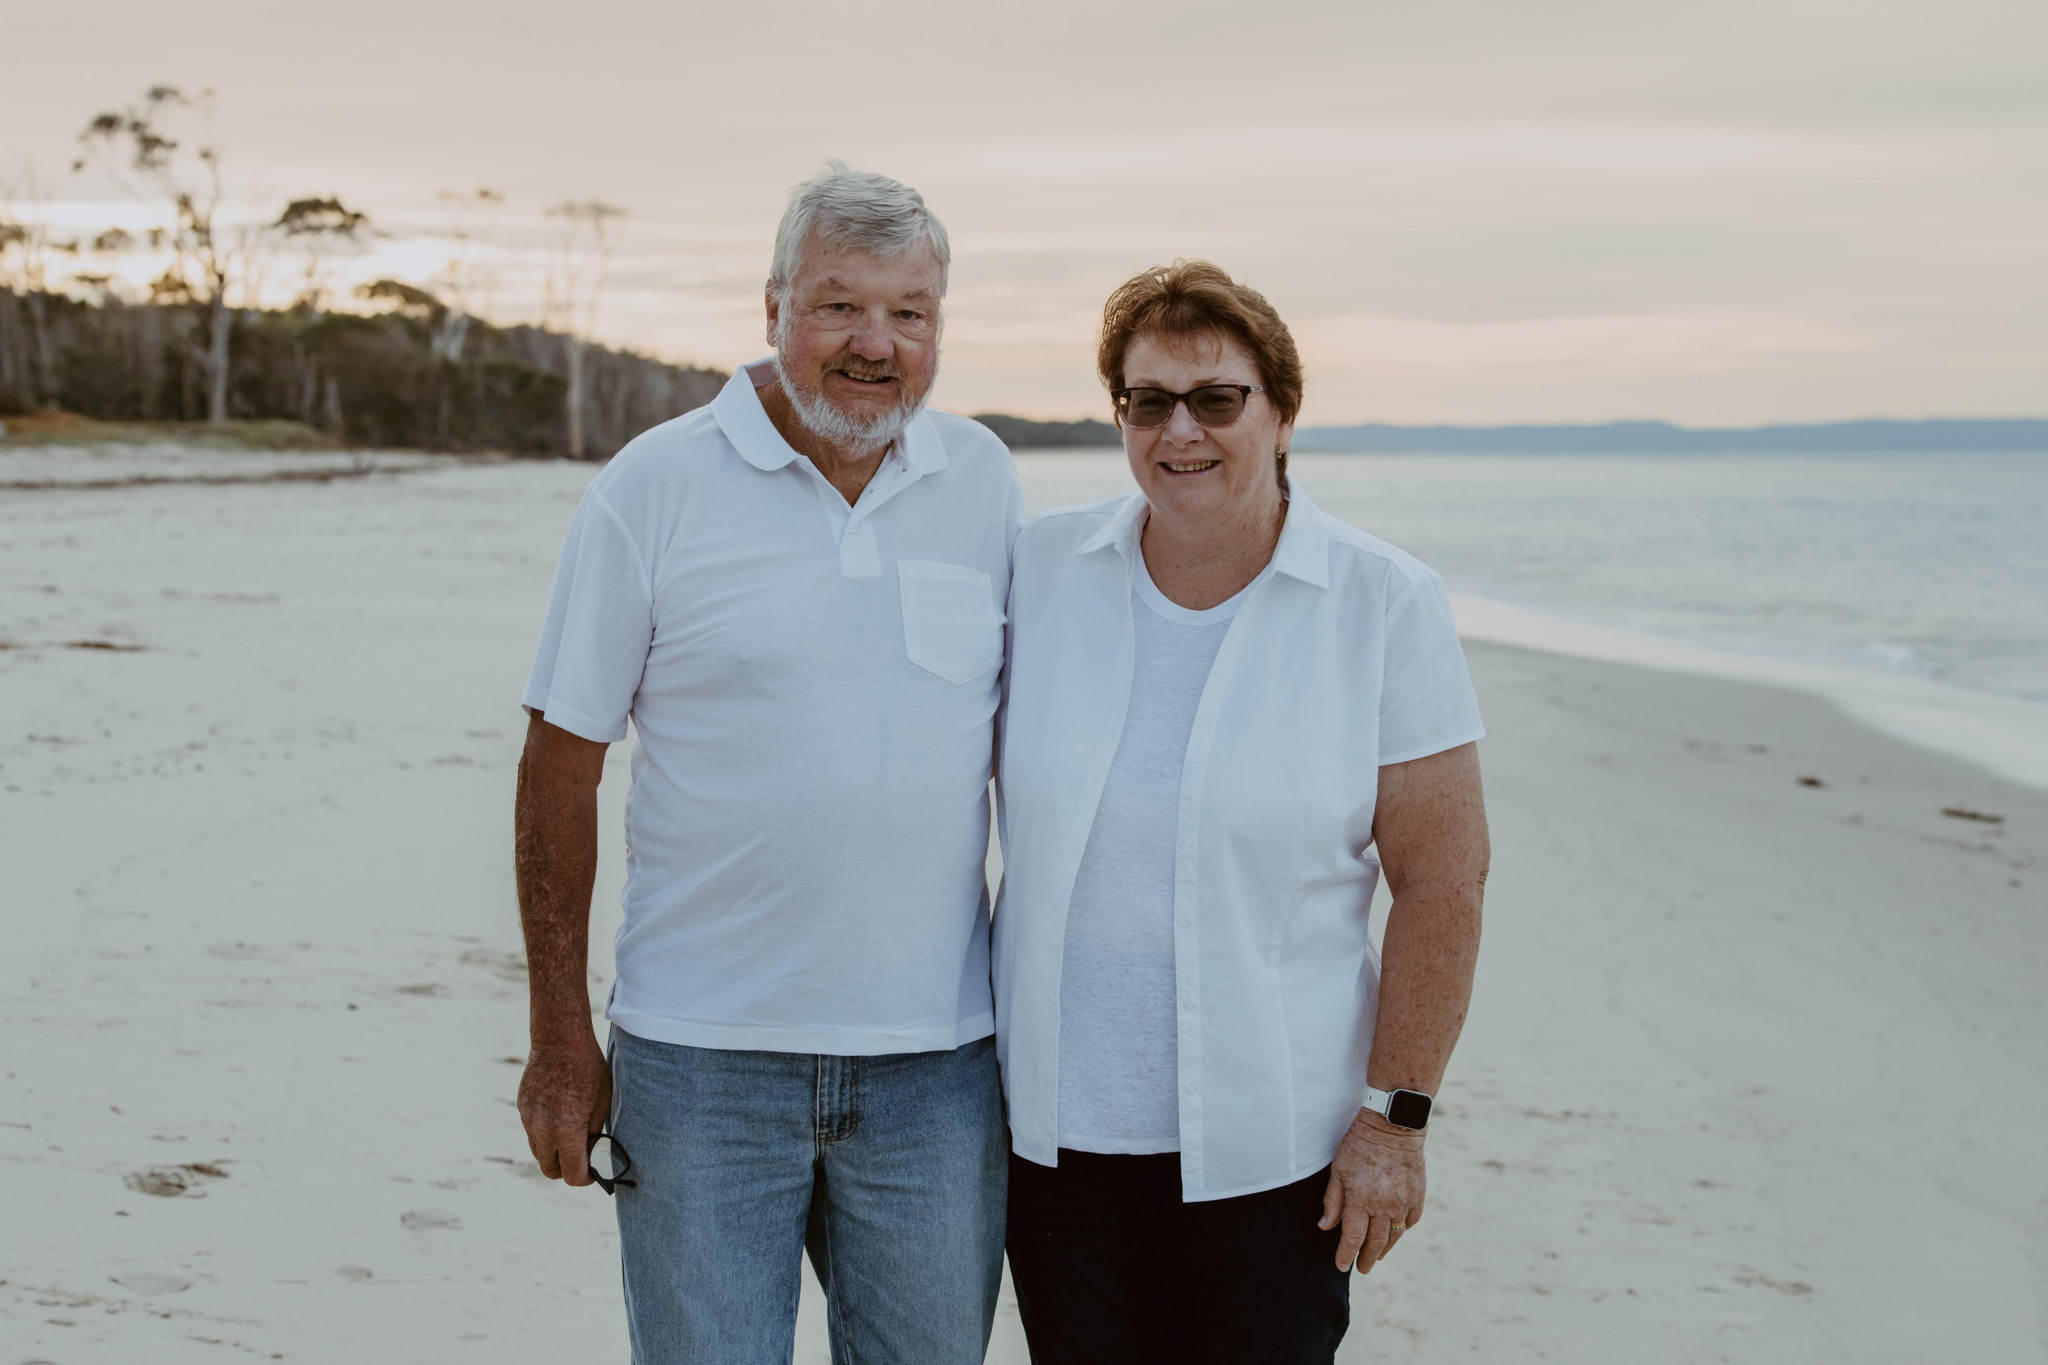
(1756, 1073)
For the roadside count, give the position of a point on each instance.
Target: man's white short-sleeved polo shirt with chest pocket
(814, 693)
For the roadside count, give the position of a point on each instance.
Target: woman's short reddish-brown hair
(1195, 300)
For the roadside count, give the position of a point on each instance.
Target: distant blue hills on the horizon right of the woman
(1934, 435)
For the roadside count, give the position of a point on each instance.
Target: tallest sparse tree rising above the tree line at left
(148, 150)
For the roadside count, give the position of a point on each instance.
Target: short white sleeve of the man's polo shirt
(599, 629)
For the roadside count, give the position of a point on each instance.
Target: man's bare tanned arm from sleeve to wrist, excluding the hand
(556, 863)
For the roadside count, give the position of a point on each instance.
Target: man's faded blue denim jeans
(888, 1170)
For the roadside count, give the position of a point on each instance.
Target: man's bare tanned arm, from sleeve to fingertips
(566, 1092)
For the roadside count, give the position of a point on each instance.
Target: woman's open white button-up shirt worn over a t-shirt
(1342, 658)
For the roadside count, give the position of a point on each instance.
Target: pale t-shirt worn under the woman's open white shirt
(1117, 1034)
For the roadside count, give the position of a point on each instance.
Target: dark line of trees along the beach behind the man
(407, 367)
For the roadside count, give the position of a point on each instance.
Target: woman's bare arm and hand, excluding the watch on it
(1431, 828)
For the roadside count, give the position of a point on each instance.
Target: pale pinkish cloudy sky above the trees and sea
(1469, 212)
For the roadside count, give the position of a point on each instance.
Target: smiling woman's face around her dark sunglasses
(1205, 474)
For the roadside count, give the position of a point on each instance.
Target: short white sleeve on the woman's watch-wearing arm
(1426, 693)
